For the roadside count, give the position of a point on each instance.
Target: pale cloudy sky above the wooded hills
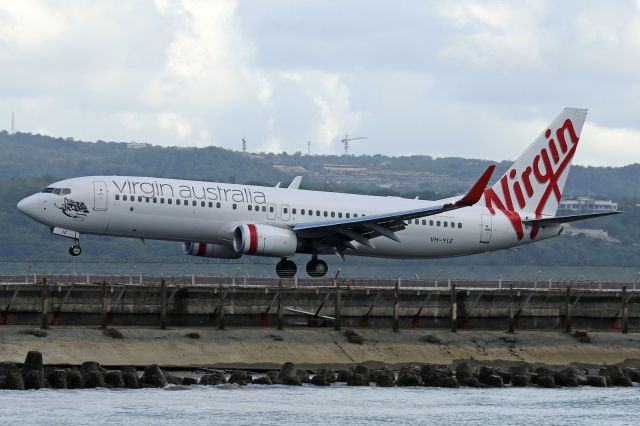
(476, 79)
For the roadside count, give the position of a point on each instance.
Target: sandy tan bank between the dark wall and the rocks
(268, 348)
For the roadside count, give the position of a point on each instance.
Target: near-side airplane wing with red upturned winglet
(340, 233)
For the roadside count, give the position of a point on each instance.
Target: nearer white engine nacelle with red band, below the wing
(264, 240)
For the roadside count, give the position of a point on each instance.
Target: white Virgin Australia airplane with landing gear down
(221, 220)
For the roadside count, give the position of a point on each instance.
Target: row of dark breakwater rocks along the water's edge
(34, 374)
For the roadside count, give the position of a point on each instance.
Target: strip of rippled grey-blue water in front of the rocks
(309, 405)
